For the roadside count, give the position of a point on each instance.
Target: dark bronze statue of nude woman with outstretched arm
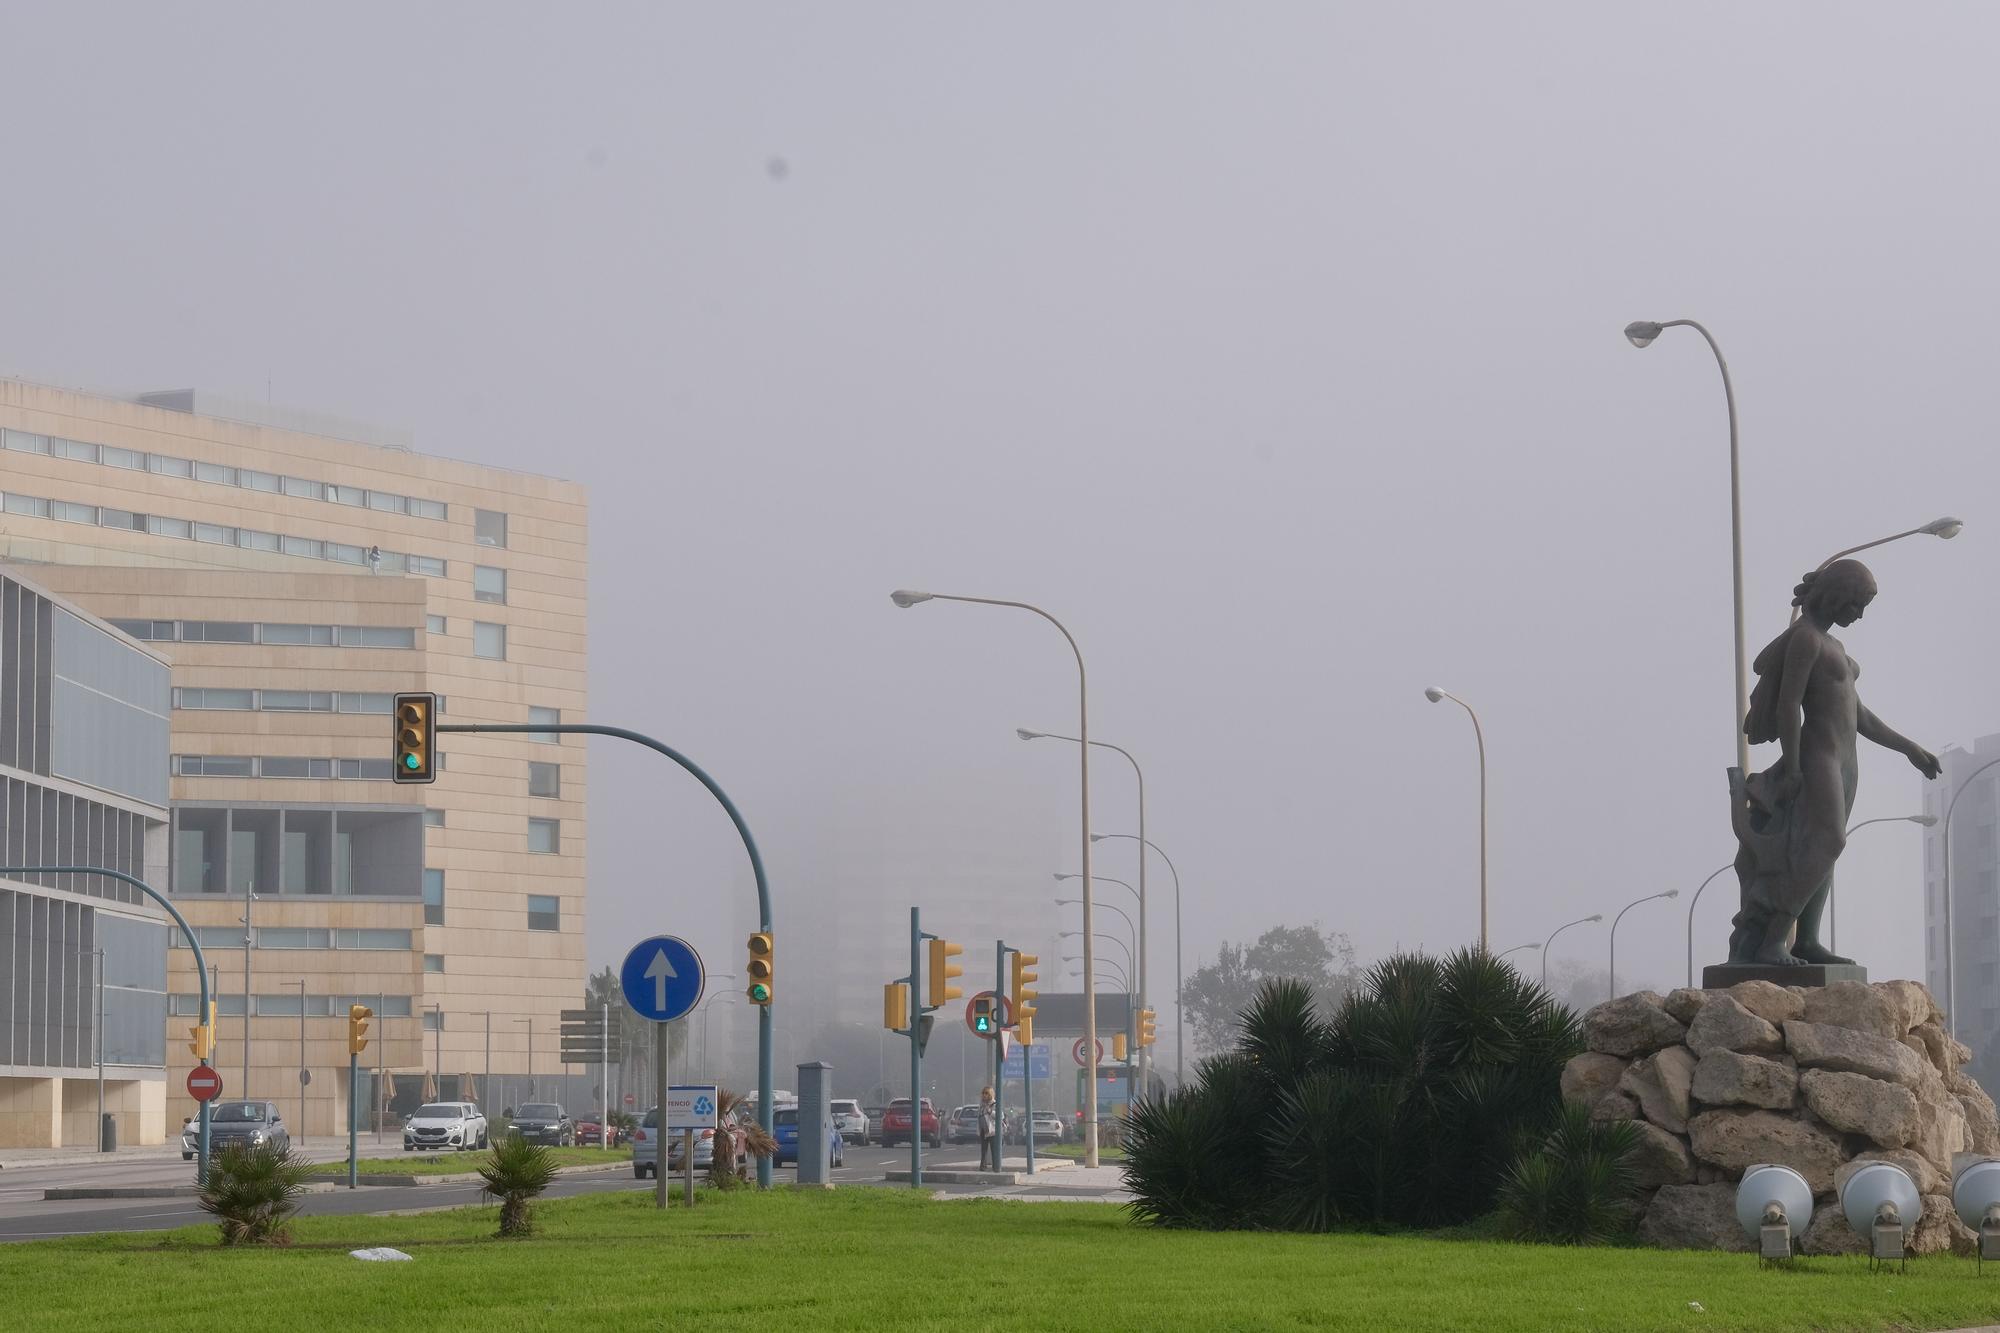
(1791, 820)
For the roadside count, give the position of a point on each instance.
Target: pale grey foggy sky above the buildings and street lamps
(1273, 347)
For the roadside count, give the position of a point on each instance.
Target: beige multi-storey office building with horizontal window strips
(297, 573)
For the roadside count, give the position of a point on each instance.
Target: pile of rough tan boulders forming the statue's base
(1819, 1080)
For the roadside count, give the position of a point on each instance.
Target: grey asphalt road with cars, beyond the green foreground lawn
(27, 1216)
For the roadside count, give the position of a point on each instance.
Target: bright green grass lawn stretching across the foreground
(887, 1260)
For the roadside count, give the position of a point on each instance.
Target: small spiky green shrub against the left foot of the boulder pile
(1577, 1188)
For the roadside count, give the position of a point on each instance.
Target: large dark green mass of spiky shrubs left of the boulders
(1407, 1108)
